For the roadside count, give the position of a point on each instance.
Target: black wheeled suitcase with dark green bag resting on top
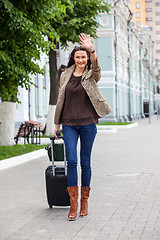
(56, 176)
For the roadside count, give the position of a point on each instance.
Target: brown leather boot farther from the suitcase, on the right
(84, 201)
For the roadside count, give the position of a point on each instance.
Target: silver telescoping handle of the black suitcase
(52, 154)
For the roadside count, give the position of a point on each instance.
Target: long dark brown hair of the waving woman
(71, 56)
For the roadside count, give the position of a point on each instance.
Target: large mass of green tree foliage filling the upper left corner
(23, 27)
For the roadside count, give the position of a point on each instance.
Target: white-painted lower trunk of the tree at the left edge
(7, 120)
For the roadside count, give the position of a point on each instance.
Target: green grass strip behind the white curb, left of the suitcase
(16, 150)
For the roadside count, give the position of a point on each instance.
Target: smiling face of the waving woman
(81, 58)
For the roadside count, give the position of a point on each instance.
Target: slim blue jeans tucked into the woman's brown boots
(87, 135)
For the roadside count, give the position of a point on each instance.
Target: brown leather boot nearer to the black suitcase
(73, 193)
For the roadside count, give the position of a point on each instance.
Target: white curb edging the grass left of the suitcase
(14, 161)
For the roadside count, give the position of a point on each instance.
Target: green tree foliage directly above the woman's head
(81, 16)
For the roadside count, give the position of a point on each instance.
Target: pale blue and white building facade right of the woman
(126, 82)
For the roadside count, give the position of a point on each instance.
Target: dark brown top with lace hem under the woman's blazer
(77, 108)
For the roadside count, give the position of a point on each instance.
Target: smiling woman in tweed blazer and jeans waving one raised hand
(79, 106)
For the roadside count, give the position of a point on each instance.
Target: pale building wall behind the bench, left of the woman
(34, 103)
